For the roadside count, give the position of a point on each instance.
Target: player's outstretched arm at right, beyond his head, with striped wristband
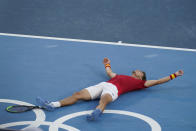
(150, 83)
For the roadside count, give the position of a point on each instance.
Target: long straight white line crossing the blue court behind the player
(98, 42)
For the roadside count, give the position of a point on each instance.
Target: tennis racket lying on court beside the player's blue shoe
(21, 108)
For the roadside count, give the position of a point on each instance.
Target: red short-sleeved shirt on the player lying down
(126, 83)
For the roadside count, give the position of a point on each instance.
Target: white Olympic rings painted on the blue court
(54, 126)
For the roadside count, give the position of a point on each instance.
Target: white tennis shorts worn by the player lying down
(102, 88)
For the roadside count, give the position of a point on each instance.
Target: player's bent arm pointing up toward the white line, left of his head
(108, 69)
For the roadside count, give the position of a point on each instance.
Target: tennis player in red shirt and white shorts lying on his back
(108, 91)
